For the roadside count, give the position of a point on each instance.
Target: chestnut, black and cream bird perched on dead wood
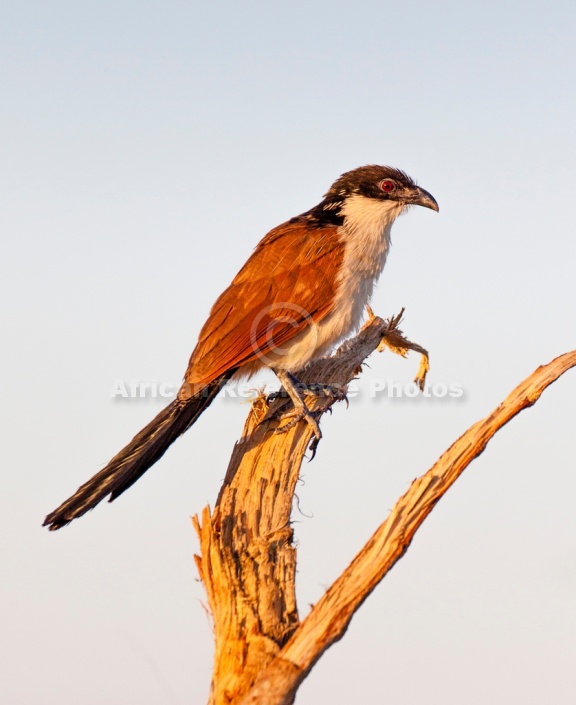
(302, 291)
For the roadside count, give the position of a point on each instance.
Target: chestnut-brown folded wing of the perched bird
(286, 285)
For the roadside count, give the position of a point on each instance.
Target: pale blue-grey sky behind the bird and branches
(146, 147)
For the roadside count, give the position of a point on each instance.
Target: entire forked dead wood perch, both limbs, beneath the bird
(248, 561)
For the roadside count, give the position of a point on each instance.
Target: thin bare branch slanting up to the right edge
(330, 617)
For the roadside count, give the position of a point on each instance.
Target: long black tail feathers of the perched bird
(142, 452)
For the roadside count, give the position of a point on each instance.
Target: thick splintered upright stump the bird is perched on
(248, 561)
